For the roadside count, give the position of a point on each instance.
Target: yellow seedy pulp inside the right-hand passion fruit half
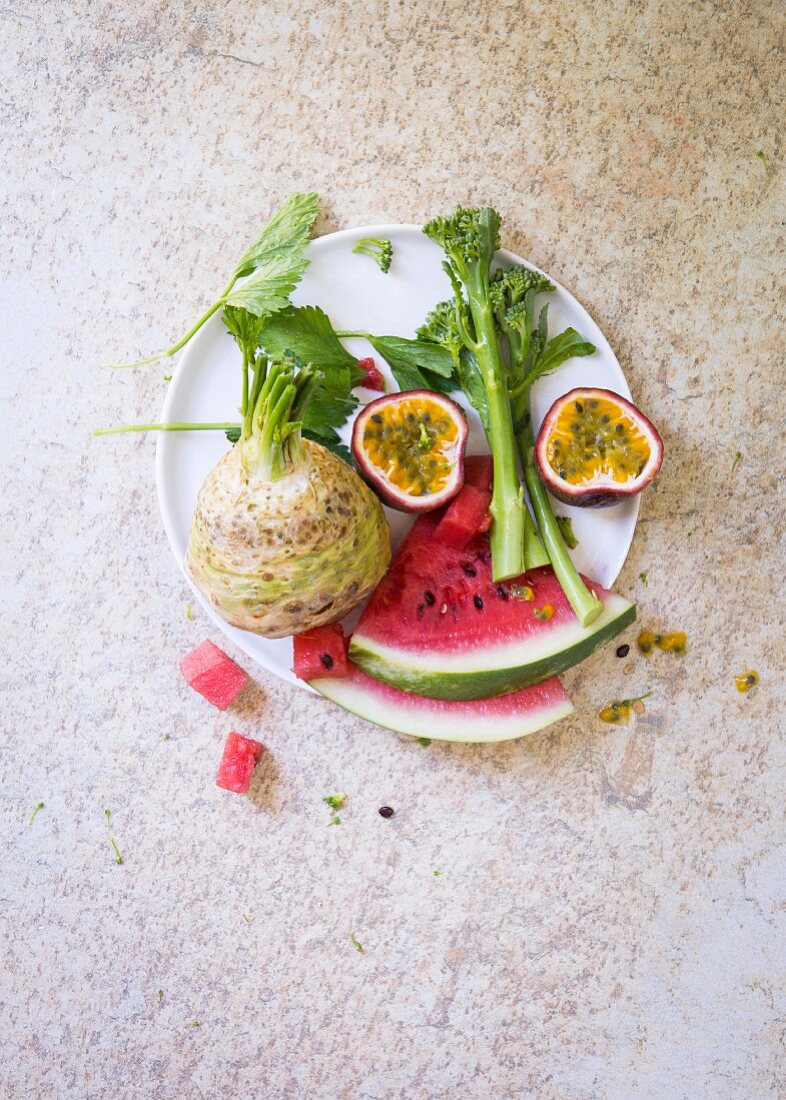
(606, 441)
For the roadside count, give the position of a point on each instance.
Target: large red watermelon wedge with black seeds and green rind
(438, 625)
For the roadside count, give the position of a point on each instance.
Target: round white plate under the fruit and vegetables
(357, 295)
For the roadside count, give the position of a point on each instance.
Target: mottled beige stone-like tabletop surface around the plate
(611, 916)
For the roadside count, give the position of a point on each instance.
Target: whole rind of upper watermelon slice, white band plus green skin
(491, 670)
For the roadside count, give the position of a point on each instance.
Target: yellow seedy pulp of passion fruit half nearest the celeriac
(413, 446)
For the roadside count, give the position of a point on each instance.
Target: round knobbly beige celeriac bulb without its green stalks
(282, 557)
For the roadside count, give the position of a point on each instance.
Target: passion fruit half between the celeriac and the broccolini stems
(411, 449)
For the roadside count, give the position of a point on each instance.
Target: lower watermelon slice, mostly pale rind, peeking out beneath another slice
(488, 720)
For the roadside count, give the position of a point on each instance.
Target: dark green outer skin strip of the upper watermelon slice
(451, 685)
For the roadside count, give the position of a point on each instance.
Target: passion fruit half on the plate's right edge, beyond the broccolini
(595, 449)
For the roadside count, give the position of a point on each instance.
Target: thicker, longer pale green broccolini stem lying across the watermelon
(507, 505)
